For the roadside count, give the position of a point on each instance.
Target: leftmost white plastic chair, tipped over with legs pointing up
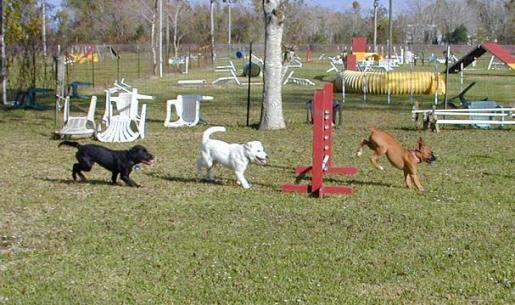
(81, 126)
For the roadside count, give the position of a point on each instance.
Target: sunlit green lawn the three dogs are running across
(178, 240)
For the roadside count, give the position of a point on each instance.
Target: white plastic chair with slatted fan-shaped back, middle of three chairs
(128, 124)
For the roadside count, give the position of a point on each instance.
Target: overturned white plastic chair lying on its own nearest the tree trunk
(187, 109)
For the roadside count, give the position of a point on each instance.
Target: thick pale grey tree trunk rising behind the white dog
(272, 108)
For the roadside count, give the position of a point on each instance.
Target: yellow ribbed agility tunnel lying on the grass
(400, 83)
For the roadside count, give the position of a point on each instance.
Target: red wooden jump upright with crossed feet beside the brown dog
(322, 150)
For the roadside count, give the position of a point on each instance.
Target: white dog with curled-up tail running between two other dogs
(234, 156)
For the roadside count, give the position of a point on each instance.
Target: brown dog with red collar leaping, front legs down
(382, 142)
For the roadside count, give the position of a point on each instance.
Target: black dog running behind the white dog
(116, 161)
